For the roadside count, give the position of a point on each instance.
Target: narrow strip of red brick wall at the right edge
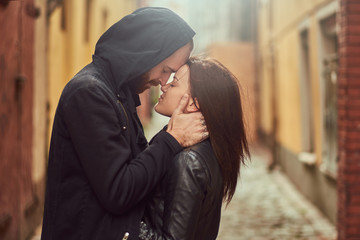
(349, 121)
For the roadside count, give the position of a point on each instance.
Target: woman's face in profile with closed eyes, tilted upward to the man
(173, 91)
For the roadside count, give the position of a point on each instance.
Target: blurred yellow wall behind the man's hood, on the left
(69, 51)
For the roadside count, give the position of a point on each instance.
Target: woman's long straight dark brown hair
(217, 93)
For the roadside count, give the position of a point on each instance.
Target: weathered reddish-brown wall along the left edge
(19, 203)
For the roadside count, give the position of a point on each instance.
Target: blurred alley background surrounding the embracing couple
(297, 62)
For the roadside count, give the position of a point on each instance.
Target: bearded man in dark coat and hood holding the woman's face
(100, 165)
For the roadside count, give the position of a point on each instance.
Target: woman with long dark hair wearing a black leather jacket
(187, 203)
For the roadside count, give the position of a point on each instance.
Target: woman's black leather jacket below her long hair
(187, 203)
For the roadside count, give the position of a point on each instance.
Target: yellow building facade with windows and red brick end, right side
(308, 109)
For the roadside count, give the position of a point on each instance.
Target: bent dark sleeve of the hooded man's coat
(118, 180)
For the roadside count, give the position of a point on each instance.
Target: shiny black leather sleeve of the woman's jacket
(185, 191)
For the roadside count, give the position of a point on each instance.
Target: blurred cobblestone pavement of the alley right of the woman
(266, 206)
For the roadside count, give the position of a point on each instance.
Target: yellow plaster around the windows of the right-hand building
(279, 26)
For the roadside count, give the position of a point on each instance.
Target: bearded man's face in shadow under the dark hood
(161, 72)
